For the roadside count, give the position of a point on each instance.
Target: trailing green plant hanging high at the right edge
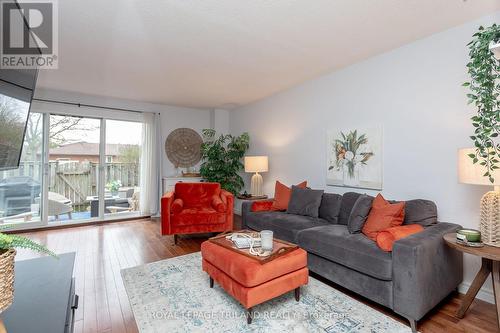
(484, 71)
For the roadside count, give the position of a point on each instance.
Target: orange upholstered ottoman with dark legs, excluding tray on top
(251, 282)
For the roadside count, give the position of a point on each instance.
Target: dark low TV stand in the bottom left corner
(44, 296)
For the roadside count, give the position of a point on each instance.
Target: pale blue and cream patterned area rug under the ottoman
(173, 295)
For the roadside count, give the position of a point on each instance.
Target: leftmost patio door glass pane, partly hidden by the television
(20, 189)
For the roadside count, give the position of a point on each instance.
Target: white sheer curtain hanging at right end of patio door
(150, 165)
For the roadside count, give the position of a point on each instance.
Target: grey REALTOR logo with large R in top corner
(28, 34)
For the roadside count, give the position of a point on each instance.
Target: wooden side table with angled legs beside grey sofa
(490, 256)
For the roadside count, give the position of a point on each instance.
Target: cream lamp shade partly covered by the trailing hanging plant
(470, 173)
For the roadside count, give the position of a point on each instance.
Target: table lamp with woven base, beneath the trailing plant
(470, 173)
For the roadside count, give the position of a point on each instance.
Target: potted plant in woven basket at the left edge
(8, 245)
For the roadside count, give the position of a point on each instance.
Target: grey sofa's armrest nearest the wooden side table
(425, 270)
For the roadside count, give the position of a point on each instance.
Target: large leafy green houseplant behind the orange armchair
(222, 159)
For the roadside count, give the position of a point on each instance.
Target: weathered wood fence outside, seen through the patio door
(78, 180)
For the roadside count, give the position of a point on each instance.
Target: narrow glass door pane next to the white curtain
(123, 155)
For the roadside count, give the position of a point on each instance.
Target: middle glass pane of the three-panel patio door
(73, 168)
